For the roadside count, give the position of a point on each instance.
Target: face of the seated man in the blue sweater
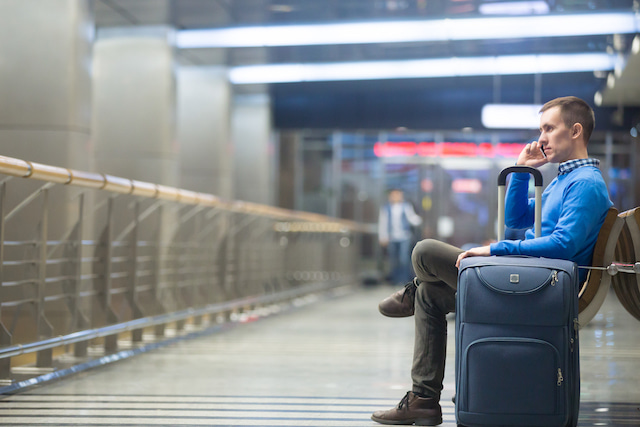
(556, 138)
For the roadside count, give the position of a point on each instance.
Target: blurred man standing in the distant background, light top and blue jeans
(394, 233)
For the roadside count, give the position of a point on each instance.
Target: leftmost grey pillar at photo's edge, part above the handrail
(45, 83)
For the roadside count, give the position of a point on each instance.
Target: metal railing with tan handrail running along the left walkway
(87, 257)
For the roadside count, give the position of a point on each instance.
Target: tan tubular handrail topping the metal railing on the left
(26, 169)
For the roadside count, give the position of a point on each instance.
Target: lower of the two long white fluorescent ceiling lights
(423, 68)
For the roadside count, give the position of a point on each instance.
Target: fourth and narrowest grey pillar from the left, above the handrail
(254, 157)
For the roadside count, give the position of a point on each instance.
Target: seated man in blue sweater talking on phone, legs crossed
(574, 206)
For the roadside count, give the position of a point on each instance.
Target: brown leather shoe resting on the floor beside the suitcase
(412, 409)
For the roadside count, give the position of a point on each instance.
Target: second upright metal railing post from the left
(44, 358)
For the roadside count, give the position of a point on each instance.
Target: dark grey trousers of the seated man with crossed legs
(435, 265)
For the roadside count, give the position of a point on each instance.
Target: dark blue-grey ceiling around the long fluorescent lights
(448, 102)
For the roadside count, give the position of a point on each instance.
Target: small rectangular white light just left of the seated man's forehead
(511, 116)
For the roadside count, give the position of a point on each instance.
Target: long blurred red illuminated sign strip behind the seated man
(446, 149)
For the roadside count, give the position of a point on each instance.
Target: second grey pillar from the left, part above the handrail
(134, 105)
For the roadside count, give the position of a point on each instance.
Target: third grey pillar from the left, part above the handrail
(204, 130)
